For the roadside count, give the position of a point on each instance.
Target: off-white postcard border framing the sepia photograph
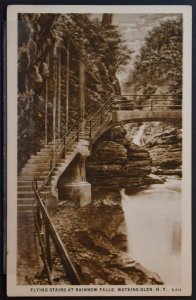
(12, 288)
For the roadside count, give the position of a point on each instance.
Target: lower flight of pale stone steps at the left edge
(38, 166)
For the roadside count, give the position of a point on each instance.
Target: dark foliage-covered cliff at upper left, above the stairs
(102, 50)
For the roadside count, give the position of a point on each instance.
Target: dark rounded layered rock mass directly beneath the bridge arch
(116, 163)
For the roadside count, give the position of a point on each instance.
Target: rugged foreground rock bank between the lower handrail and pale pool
(95, 239)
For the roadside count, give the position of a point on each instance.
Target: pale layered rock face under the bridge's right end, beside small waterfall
(163, 141)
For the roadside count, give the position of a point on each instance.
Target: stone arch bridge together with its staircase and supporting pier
(60, 166)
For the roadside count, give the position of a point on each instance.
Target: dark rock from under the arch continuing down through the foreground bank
(95, 236)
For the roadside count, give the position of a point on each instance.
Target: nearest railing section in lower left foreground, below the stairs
(48, 233)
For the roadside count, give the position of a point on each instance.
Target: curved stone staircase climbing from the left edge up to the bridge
(39, 166)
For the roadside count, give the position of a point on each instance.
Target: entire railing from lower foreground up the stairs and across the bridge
(98, 120)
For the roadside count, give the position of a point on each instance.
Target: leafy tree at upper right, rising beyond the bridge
(159, 65)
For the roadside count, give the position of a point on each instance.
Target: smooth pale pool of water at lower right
(153, 220)
